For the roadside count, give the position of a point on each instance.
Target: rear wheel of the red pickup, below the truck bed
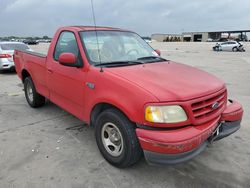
(34, 99)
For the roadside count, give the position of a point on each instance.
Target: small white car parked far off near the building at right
(229, 46)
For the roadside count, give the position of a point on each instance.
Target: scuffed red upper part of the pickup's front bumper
(187, 138)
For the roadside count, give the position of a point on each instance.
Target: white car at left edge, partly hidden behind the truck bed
(6, 54)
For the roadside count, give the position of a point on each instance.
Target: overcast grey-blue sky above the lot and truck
(43, 17)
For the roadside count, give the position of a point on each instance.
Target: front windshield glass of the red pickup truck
(115, 46)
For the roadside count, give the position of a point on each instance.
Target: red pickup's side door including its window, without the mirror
(66, 83)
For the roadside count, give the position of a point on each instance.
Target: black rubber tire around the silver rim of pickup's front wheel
(131, 151)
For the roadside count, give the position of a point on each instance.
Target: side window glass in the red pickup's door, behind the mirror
(67, 43)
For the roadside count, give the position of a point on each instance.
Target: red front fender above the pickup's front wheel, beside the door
(116, 91)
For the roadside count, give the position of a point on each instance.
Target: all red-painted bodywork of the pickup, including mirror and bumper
(131, 89)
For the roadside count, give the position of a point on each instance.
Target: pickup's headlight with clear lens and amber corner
(165, 114)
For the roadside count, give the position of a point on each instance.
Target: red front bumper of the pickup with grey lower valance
(182, 144)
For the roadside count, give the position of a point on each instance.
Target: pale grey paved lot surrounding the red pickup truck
(48, 147)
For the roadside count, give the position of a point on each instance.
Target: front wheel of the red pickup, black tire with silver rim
(113, 128)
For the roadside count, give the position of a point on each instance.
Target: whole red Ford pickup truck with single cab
(138, 102)
